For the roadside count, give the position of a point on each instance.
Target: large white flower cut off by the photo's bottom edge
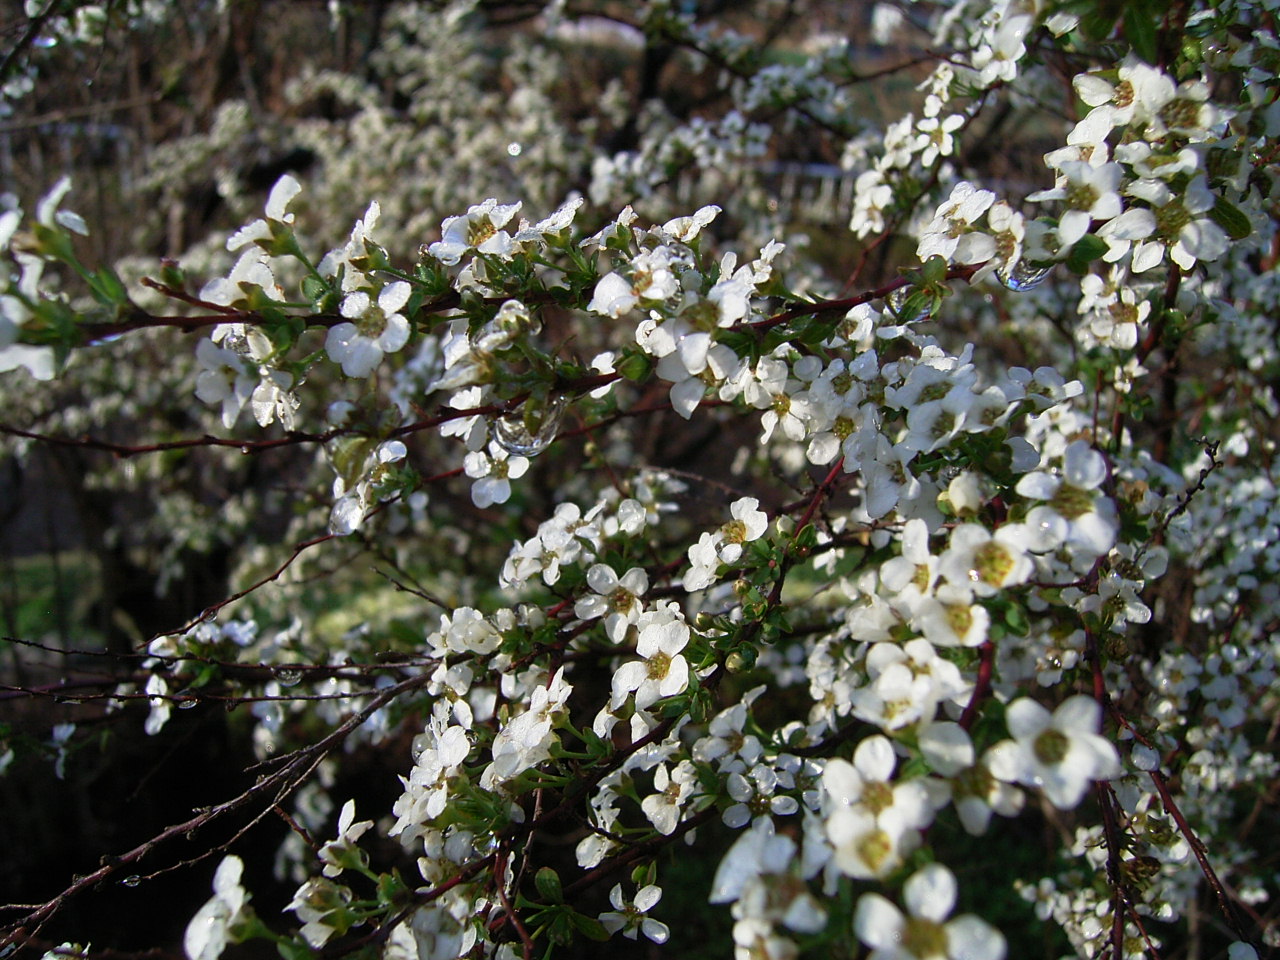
(924, 934)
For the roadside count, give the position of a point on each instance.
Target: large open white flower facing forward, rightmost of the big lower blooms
(1062, 753)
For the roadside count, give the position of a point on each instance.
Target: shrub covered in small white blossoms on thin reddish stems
(711, 536)
